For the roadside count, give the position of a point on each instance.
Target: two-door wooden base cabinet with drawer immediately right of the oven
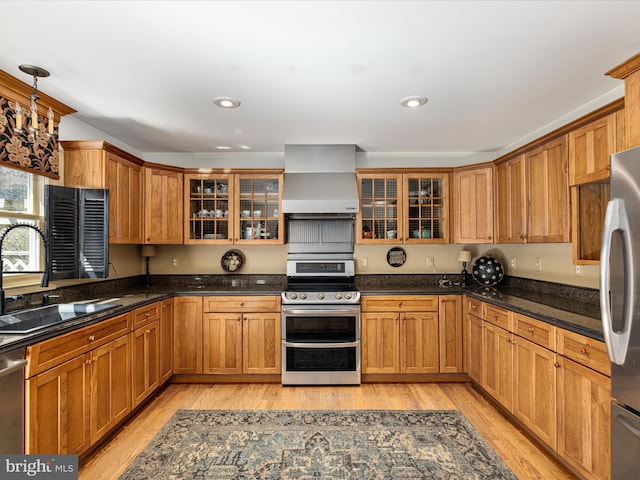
(400, 334)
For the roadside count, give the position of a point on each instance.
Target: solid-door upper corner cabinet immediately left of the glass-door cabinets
(163, 212)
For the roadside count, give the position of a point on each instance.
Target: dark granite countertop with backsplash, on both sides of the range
(574, 309)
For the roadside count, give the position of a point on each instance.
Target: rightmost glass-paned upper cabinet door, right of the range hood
(426, 216)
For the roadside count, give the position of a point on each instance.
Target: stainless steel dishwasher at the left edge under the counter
(12, 365)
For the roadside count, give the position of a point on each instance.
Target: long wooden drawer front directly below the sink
(55, 351)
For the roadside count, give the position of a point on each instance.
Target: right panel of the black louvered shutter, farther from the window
(94, 233)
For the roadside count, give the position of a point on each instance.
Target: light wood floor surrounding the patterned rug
(523, 457)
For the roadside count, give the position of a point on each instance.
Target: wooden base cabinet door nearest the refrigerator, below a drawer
(584, 419)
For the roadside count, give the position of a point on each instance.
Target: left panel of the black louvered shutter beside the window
(61, 224)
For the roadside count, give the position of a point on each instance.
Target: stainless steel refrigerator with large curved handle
(620, 306)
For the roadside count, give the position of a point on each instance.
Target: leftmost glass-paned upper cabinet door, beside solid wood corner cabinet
(208, 209)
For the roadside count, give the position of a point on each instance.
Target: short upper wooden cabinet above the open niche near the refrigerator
(591, 146)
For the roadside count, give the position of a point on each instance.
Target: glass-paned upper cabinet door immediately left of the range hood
(258, 214)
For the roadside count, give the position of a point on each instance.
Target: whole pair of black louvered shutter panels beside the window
(77, 227)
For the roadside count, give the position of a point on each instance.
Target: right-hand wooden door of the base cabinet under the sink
(110, 386)
